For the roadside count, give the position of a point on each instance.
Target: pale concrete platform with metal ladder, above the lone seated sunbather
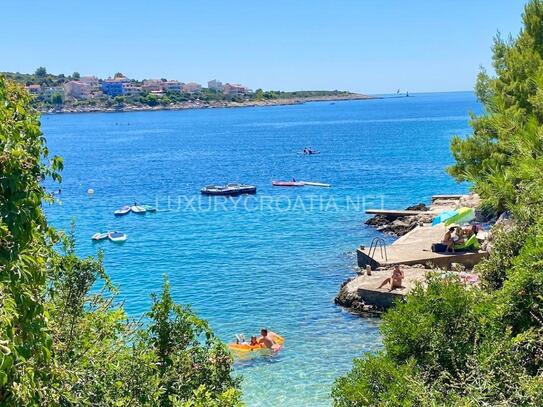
(415, 248)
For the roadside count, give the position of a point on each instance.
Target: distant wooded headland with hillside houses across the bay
(76, 93)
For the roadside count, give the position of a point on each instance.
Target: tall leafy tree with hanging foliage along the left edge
(25, 240)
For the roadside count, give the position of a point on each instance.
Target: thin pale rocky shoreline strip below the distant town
(206, 105)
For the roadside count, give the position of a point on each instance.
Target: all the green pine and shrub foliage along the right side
(452, 346)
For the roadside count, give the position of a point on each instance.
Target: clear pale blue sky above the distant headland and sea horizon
(371, 46)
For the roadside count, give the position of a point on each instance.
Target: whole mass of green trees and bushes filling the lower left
(65, 339)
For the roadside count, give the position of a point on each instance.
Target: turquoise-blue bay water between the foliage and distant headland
(276, 259)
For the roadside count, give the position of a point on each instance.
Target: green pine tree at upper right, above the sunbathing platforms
(505, 142)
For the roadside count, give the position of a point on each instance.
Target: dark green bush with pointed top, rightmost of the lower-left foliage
(189, 356)
